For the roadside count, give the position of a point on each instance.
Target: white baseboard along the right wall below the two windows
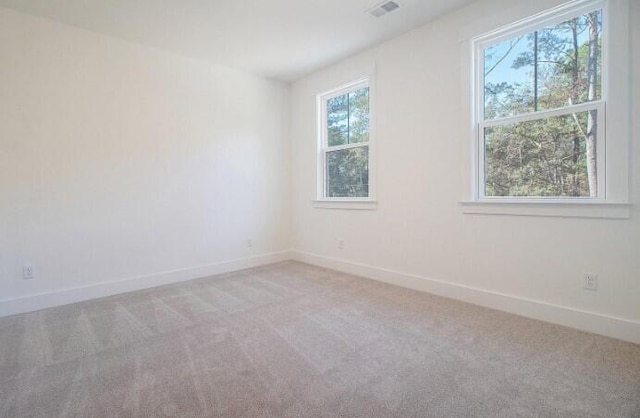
(620, 328)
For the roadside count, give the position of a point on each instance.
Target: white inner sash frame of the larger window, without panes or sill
(521, 27)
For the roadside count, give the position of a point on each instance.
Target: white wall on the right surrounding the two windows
(419, 229)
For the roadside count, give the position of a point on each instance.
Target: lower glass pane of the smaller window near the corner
(348, 172)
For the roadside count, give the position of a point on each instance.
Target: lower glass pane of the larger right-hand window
(552, 157)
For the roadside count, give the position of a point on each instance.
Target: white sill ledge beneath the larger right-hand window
(565, 209)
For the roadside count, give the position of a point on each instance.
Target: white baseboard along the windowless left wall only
(77, 294)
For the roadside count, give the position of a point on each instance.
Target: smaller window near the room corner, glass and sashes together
(344, 117)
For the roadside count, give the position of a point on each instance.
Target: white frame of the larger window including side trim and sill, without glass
(612, 199)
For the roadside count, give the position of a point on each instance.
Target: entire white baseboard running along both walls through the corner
(623, 329)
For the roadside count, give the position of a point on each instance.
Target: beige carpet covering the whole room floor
(292, 340)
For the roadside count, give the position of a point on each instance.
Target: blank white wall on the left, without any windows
(119, 161)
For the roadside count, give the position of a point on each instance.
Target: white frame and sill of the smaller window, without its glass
(322, 201)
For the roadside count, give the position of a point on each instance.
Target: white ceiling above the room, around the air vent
(281, 39)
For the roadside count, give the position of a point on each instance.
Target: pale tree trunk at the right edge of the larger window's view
(592, 116)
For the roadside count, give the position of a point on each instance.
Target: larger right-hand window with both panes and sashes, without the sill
(540, 107)
